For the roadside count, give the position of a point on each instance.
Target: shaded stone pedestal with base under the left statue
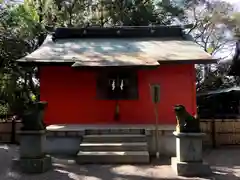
(32, 155)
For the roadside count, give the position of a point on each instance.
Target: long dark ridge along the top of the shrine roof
(118, 32)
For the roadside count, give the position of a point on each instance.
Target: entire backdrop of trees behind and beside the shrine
(23, 28)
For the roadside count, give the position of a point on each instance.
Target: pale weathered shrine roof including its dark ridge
(130, 46)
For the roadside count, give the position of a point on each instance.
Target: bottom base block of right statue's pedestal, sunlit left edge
(190, 169)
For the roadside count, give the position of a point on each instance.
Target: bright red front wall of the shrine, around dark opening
(71, 95)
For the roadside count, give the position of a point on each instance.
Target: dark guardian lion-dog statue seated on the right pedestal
(185, 121)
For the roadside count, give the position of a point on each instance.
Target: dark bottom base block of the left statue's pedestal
(40, 165)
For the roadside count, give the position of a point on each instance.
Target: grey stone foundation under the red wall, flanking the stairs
(71, 136)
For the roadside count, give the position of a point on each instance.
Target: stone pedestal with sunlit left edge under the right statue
(189, 161)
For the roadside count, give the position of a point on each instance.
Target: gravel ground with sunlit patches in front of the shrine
(224, 162)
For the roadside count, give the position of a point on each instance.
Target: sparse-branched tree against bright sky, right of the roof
(213, 29)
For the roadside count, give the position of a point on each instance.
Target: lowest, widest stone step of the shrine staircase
(113, 157)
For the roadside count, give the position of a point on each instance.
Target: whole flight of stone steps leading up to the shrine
(113, 146)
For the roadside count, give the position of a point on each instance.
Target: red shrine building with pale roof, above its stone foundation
(105, 75)
